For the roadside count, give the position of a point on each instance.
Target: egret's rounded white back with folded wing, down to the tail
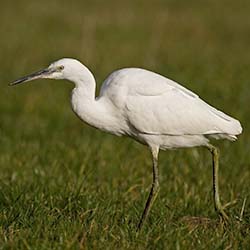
(155, 105)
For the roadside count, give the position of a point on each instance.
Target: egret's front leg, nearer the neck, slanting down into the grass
(154, 189)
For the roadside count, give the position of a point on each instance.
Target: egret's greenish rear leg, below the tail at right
(217, 203)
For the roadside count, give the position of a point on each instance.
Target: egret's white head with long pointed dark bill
(65, 68)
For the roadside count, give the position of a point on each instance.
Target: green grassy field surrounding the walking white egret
(65, 185)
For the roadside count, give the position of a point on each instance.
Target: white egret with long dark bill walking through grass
(148, 107)
